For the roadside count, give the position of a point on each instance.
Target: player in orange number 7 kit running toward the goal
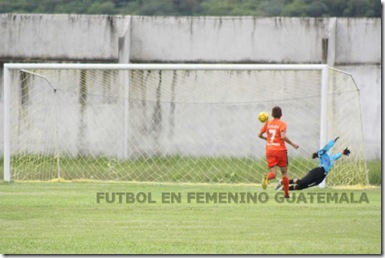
(276, 151)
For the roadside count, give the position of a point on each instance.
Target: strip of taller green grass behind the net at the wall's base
(179, 169)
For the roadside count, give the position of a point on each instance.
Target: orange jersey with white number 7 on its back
(273, 129)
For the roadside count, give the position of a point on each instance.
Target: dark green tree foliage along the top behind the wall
(259, 8)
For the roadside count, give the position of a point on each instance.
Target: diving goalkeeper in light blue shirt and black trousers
(317, 175)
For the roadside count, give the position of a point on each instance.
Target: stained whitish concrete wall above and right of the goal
(350, 44)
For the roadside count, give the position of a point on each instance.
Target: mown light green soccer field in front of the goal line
(83, 218)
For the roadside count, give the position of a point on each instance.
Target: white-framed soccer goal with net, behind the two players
(191, 123)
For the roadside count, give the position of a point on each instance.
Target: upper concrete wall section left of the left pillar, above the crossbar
(60, 37)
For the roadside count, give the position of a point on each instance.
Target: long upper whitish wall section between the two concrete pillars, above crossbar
(227, 39)
